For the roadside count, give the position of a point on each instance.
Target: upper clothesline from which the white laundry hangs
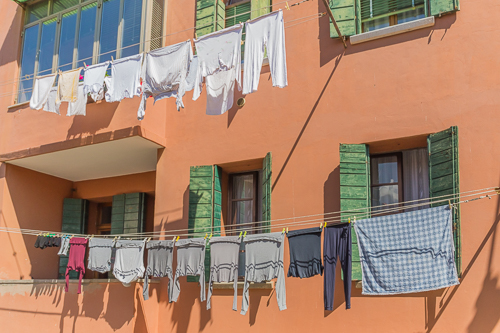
(30, 76)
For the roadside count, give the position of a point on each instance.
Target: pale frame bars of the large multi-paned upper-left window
(145, 21)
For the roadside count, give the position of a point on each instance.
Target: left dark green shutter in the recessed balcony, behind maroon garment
(73, 222)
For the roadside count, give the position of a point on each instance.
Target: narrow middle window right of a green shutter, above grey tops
(243, 193)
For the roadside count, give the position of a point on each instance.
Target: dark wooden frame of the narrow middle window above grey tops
(231, 225)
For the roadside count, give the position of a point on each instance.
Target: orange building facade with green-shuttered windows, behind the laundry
(408, 110)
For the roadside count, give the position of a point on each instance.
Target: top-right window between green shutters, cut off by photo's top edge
(377, 14)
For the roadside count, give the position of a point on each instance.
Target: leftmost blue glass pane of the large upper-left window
(28, 63)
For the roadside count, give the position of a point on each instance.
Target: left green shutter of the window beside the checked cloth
(354, 191)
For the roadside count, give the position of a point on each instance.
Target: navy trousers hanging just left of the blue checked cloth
(337, 243)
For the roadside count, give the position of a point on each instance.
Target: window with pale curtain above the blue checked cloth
(399, 177)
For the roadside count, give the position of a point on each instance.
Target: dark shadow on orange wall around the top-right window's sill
(332, 47)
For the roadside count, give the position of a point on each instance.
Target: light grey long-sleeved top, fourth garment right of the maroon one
(190, 261)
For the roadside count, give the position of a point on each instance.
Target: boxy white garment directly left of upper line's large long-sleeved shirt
(125, 79)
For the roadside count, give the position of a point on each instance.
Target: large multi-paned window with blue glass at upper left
(65, 34)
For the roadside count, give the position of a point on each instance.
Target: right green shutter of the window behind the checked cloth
(444, 178)
